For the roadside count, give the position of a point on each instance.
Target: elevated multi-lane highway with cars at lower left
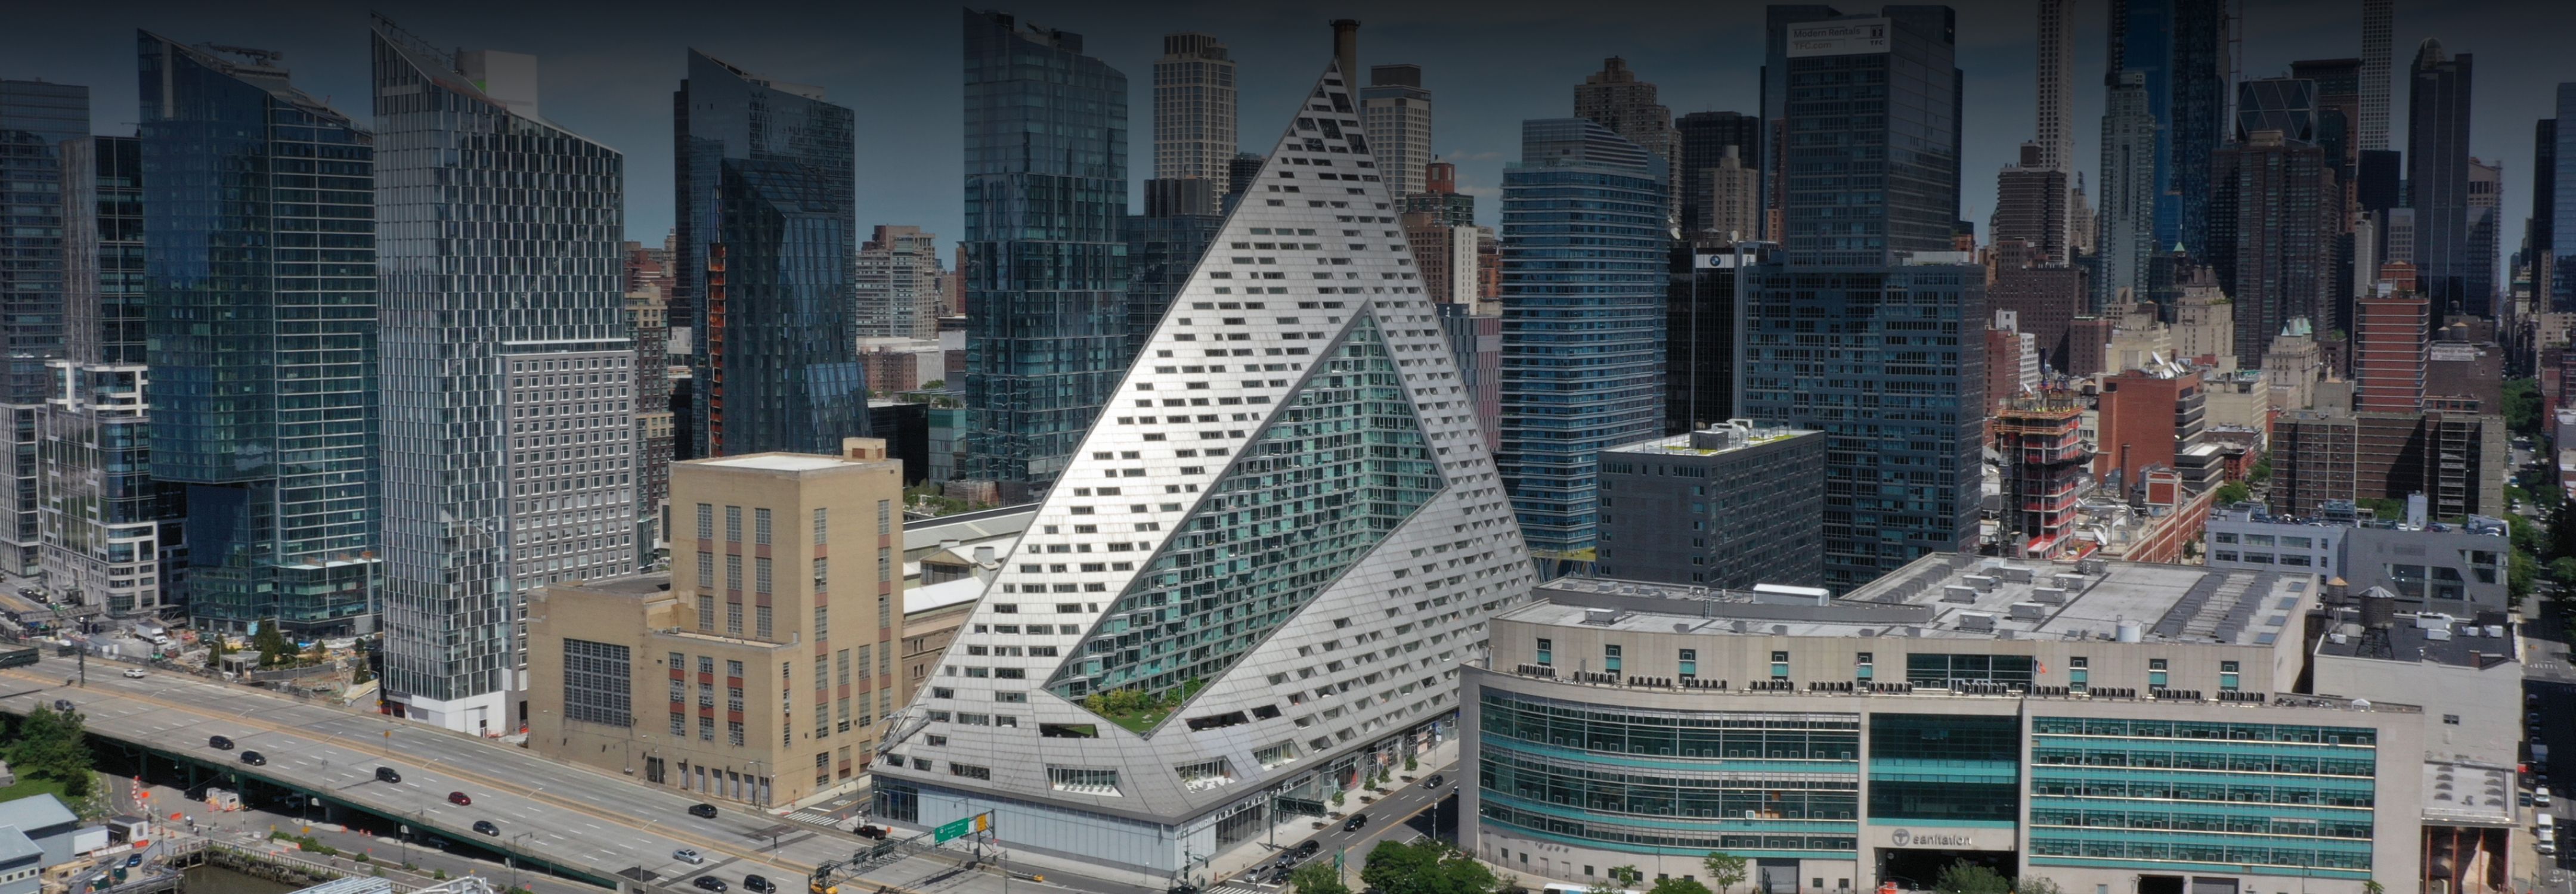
(573, 818)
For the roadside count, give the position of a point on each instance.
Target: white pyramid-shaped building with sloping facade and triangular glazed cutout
(1261, 573)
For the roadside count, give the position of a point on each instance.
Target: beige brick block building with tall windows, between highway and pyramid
(761, 666)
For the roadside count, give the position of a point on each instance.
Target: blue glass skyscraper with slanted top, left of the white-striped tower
(259, 210)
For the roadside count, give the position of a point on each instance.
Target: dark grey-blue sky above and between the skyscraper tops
(609, 68)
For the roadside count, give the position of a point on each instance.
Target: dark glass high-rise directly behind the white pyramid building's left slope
(1047, 269)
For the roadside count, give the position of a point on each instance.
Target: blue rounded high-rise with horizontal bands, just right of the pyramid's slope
(1583, 321)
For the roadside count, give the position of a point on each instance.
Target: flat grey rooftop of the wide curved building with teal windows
(1954, 596)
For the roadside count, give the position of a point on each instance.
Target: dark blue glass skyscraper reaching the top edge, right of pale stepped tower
(2204, 86)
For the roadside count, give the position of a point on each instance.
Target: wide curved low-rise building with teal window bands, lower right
(2103, 725)
